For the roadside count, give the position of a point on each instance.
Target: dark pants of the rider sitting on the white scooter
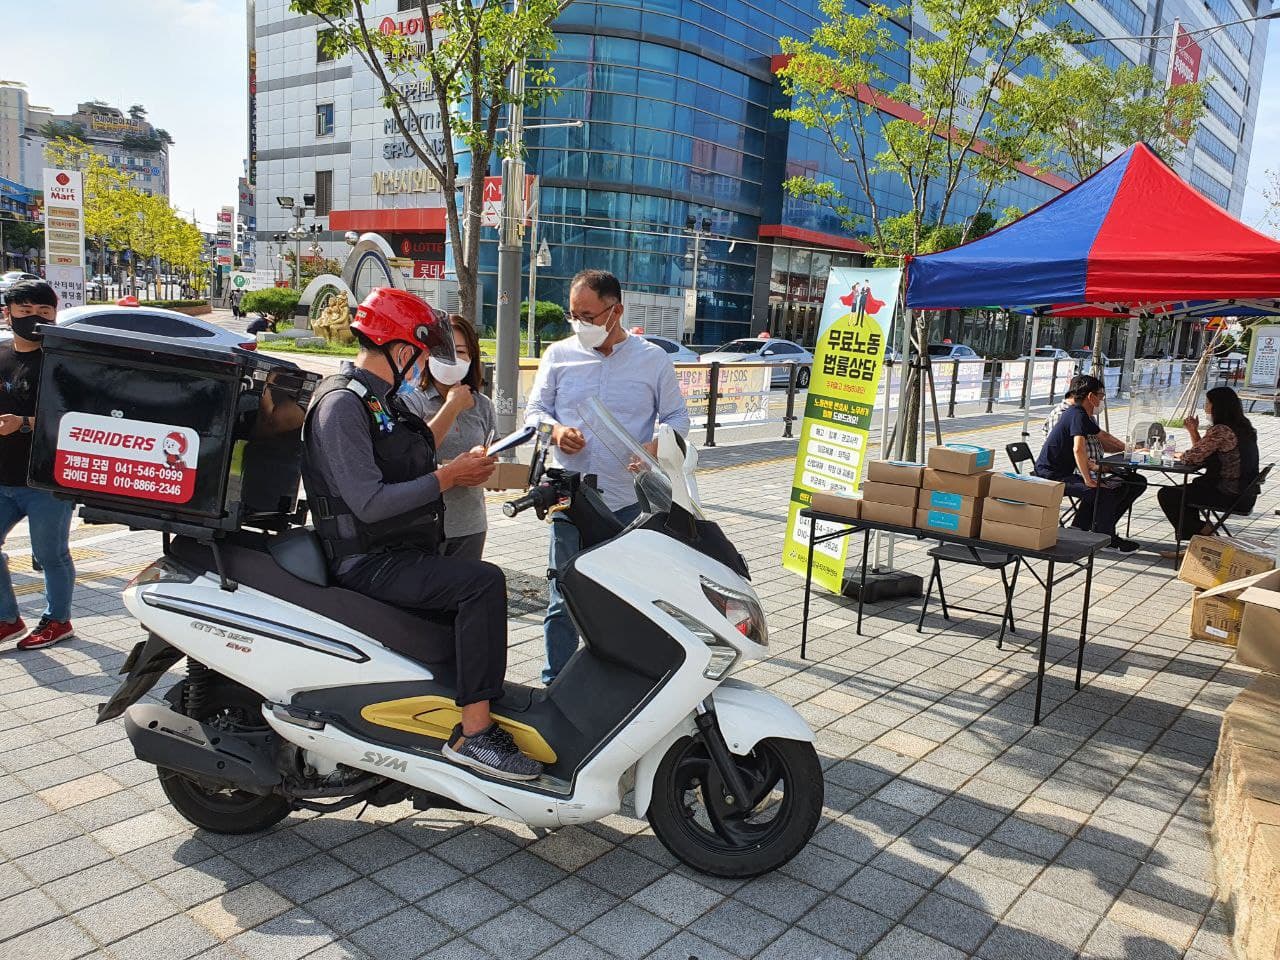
(474, 589)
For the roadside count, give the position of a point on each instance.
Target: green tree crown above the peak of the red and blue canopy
(1091, 112)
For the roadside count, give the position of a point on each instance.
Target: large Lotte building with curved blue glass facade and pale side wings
(680, 149)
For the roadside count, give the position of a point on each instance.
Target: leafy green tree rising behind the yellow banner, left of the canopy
(964, 136)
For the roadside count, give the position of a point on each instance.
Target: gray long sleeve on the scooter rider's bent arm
(339, 441)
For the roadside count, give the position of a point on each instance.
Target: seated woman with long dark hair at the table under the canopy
(1229, 454)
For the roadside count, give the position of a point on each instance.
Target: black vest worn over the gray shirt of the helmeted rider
(404, 451)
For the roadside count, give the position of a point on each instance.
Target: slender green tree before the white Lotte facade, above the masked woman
(467, 52)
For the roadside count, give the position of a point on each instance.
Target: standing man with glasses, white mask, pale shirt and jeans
(636, 382)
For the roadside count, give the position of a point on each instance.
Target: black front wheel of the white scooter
(696, 822)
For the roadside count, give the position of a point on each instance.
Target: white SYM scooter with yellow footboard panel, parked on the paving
(303, 696)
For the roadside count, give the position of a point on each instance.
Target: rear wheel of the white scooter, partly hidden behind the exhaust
(226, 811)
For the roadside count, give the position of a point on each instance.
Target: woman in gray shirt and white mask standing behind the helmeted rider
(458, 387)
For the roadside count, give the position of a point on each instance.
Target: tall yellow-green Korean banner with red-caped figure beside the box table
(843, 392)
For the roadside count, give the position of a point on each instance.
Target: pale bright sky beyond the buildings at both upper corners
(185, 62)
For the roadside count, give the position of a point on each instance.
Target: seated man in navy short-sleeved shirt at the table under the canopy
(1072, 452)
